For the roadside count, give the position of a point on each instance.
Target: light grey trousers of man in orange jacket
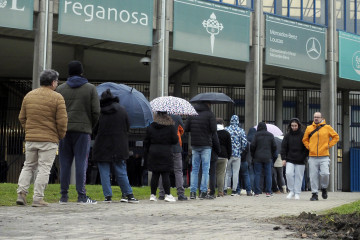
(319, 170)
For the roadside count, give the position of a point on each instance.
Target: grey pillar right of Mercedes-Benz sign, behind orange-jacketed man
(329, 89)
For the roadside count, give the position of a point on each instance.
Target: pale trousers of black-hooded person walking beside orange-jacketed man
(294, 176)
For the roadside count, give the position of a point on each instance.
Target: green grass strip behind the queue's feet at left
(8, 193)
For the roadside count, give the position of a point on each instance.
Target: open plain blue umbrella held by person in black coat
(136, 105)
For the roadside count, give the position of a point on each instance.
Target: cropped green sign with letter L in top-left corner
(17, 14)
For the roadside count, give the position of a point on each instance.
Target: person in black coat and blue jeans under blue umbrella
(111, 146)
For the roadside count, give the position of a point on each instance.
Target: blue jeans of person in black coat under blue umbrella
(120, 174)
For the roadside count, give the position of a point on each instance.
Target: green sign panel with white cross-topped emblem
(212, 29)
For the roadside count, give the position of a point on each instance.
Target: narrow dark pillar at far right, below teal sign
(346, 143)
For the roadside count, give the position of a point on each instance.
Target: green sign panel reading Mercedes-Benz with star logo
(295, 45)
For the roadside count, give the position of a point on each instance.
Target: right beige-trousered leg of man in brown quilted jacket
(46, 157)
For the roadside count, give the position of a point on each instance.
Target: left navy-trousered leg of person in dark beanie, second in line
(66, 157)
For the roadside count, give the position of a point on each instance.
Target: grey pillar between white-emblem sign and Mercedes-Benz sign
(253, 73)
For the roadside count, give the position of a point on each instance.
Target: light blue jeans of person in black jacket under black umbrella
(200, 155)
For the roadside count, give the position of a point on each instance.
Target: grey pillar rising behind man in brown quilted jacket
(43, 40)
